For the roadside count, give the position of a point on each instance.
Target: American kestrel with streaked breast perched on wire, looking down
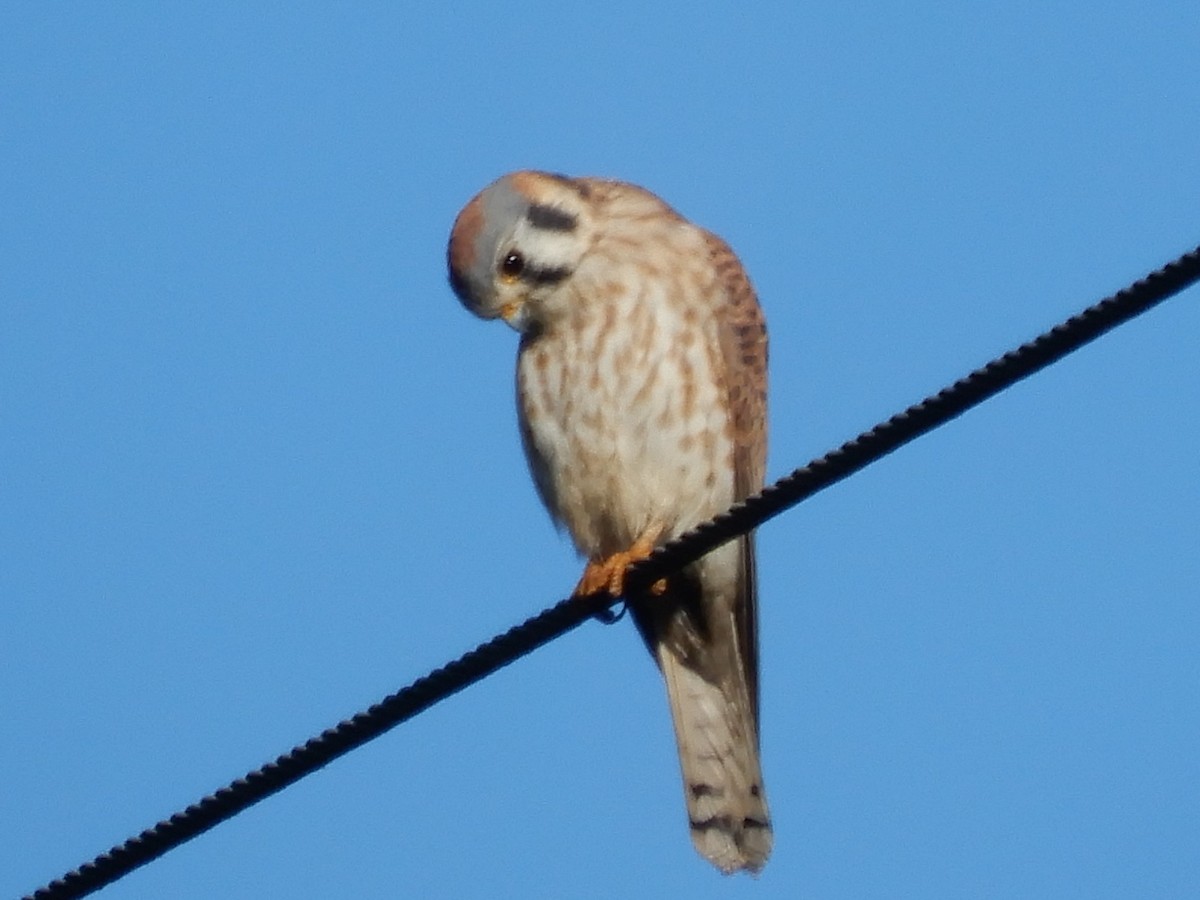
(641, 395)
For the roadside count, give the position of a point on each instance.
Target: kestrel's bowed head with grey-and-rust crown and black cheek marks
(517, 243)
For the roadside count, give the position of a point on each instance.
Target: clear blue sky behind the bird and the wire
(259, 469)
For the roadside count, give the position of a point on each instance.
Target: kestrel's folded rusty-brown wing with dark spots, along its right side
(743, 340)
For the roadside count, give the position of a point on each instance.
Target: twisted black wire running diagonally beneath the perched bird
(567, 615)
